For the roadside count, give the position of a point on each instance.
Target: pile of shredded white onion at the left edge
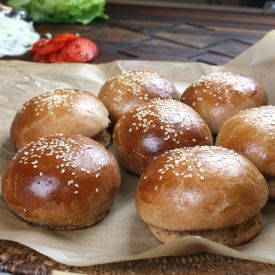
(16, 36)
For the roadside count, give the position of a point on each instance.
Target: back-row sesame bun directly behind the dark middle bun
(129, 89)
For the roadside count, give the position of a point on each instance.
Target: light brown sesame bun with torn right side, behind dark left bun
(62, 111)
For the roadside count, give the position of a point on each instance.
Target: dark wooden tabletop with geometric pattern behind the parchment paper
(169, 34)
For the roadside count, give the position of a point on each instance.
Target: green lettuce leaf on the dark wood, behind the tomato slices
(61, 11)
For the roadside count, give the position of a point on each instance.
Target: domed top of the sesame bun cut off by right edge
(252, 133)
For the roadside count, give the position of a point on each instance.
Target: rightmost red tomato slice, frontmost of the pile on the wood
(82, 50)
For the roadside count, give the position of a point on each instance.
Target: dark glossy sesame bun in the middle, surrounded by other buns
(155, 127)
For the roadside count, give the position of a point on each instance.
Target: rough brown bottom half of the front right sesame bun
(230, 236)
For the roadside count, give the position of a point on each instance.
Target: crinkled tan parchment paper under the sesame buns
(121, 235)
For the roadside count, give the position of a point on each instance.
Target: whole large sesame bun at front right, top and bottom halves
(204, 191)
